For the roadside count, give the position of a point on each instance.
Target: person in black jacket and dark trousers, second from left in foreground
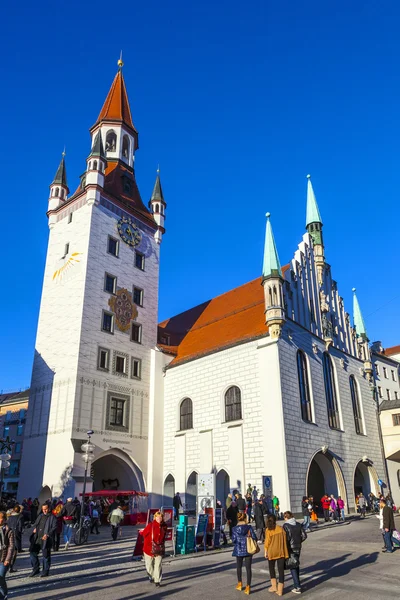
(41, 539)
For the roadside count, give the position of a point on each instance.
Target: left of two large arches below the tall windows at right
(325, 477)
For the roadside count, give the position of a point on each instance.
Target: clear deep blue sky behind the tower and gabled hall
(237, 102)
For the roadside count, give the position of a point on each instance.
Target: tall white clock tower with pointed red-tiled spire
(98, 320)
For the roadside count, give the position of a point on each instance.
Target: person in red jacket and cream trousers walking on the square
(154, 547)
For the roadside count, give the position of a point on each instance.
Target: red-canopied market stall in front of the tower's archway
(136, 503)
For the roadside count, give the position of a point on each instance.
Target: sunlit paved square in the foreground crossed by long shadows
(336, 560)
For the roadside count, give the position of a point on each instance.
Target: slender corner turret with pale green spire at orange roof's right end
(272, 281)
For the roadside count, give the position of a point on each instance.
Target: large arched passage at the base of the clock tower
(114, 470)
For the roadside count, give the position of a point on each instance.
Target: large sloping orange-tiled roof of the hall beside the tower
(233, 317)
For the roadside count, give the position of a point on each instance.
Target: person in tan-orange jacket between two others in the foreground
(276, 551)
